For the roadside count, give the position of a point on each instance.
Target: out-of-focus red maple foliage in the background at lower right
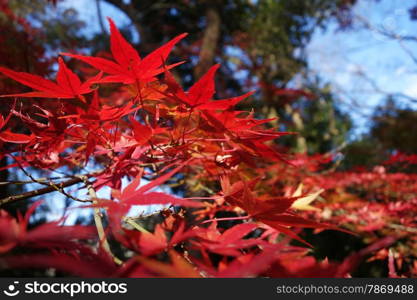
(371, 203)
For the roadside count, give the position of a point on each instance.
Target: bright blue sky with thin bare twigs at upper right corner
(339, 56)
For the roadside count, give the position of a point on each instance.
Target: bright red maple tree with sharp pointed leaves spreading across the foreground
(149, 129)
